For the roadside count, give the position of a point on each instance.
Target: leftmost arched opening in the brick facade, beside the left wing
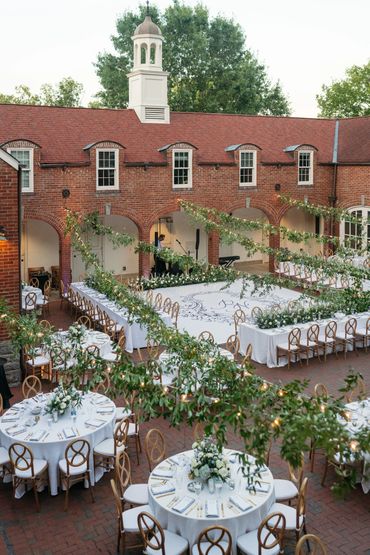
(39, 248)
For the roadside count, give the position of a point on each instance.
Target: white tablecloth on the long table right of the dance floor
(264, 342)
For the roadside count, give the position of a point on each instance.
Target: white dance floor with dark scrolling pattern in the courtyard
(211, 306)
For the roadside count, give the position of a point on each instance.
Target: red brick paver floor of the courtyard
(343, 524)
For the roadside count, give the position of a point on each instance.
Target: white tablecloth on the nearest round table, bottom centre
(190, 525)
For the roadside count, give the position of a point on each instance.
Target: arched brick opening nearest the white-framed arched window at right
(300, 220)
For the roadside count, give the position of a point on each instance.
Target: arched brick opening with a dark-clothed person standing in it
(180, 235)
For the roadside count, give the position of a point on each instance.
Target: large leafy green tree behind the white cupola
(210, 69)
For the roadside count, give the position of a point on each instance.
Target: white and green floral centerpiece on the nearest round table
(208, 461)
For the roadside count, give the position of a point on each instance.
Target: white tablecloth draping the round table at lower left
(52, 448)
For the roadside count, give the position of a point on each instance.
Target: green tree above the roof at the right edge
(349, 97)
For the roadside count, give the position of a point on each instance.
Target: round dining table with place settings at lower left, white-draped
(27, 422)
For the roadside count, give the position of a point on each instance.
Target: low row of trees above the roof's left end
(67, 92)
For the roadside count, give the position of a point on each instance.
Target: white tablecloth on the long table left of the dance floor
(136, 335)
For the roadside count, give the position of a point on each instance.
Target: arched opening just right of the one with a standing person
(257, 261)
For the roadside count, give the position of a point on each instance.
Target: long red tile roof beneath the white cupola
(64, 132)
